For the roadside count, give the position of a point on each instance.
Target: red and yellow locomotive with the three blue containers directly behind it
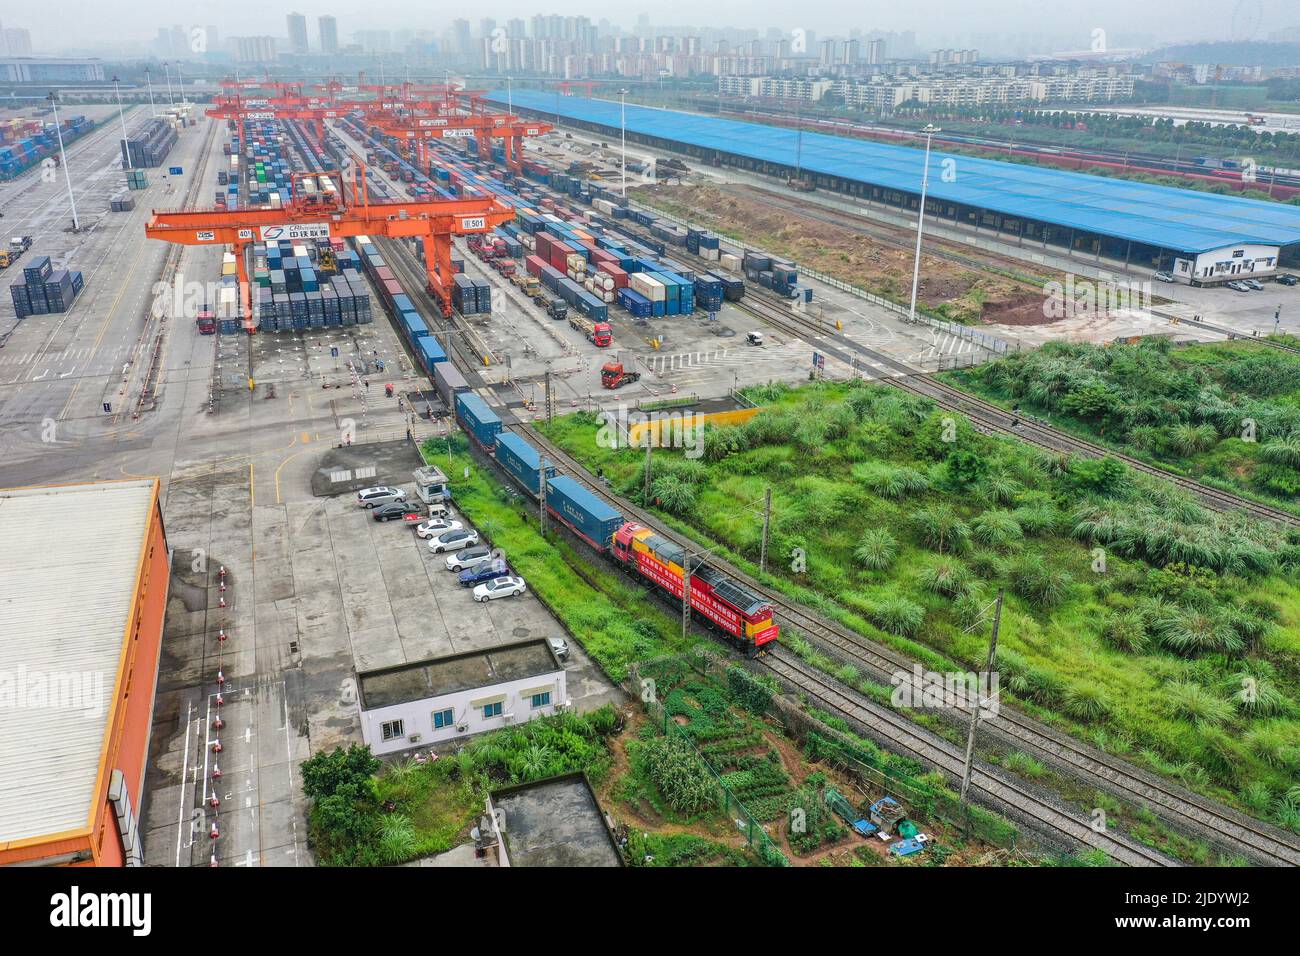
(738, 613)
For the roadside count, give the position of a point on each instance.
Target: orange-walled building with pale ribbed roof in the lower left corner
(84, 589)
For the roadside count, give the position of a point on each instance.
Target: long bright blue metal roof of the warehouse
(1159, 217)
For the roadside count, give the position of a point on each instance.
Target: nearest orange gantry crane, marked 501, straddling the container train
(319, 209)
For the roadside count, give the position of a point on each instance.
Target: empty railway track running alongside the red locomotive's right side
(1188, 811)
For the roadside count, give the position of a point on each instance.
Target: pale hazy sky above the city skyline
(118, 24)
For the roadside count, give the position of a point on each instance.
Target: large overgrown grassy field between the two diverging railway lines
(824, 451)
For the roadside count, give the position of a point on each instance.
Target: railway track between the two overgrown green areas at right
(991, 417)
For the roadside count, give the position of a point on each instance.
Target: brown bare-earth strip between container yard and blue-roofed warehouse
(954, 291)
